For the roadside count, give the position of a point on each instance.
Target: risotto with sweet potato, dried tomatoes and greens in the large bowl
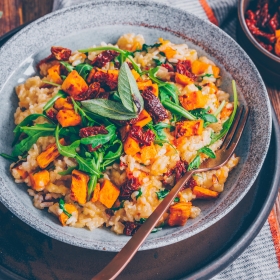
(105, 133)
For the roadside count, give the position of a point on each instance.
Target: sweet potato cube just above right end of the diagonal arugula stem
(193, 100)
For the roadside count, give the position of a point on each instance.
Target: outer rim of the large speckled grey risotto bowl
(159, 242)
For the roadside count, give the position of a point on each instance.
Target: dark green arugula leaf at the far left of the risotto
(33, 132)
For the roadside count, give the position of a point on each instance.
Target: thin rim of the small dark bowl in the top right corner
(241, 17)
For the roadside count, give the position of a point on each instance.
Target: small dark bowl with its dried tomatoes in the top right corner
(259, 35)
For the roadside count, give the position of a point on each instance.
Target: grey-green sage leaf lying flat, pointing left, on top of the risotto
(109, 109)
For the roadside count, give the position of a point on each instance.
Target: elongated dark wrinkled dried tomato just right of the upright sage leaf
(153, 105)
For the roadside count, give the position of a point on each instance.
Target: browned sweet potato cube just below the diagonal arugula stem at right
(189, 128)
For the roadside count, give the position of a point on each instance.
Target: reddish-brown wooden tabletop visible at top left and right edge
(17, 12)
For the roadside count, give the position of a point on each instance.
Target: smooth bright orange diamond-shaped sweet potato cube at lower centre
(108, 193)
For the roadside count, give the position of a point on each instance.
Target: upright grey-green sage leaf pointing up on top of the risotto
(128, 90)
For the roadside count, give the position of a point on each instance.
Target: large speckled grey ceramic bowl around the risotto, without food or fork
(81, 26)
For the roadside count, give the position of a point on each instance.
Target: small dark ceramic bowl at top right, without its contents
(267, 63)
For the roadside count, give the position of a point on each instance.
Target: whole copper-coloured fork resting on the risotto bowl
(120, 261)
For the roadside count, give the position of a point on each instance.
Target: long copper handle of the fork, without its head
(120, 261)
